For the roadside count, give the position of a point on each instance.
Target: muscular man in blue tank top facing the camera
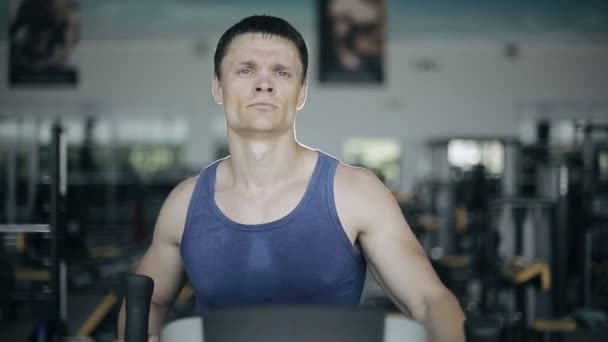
(278, 222)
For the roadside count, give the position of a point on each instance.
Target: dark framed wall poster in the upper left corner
(43, 35)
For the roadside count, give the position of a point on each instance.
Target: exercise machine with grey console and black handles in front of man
(283, 323)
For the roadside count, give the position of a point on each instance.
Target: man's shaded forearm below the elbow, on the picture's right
(444, 319)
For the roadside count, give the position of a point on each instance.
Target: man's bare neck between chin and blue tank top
(257, 165)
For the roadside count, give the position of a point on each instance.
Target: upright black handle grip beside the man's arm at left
(139, 290)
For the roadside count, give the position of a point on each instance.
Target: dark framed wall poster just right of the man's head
(352, 41)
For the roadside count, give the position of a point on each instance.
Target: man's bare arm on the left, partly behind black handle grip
(162, 261)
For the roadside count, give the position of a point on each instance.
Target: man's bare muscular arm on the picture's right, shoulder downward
(396, 258)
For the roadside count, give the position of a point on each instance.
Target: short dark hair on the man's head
(263, 24)
